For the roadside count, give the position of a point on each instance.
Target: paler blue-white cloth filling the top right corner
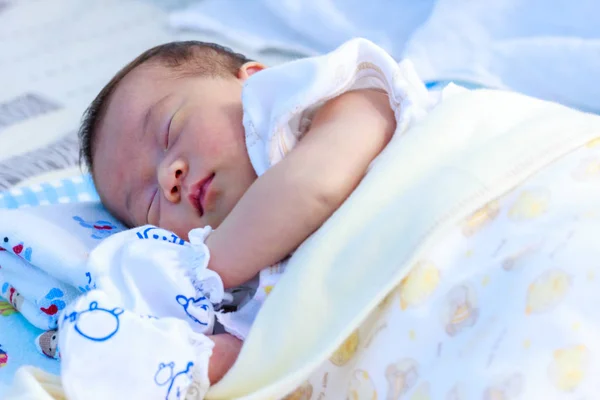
(550, 50)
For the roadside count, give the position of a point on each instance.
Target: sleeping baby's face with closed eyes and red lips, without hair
(171, 150)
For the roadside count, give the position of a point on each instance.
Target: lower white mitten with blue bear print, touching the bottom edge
(111, 353)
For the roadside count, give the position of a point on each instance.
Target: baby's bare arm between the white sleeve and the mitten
(297, 195)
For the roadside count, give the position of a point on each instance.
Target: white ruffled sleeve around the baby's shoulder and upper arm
(279, 102)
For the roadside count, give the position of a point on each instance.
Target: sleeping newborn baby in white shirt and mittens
(222, 168)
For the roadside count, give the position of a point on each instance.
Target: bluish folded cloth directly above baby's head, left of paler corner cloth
(307, 27)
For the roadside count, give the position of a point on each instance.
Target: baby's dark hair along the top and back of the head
(185, 58)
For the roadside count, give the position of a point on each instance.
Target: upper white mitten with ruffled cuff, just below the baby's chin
(153, 272)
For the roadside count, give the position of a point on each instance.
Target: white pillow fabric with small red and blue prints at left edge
(44, 253)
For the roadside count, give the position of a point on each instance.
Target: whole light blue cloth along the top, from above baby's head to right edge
(549, 50)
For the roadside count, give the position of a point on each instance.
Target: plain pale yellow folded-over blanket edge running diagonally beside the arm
(472, 148)
